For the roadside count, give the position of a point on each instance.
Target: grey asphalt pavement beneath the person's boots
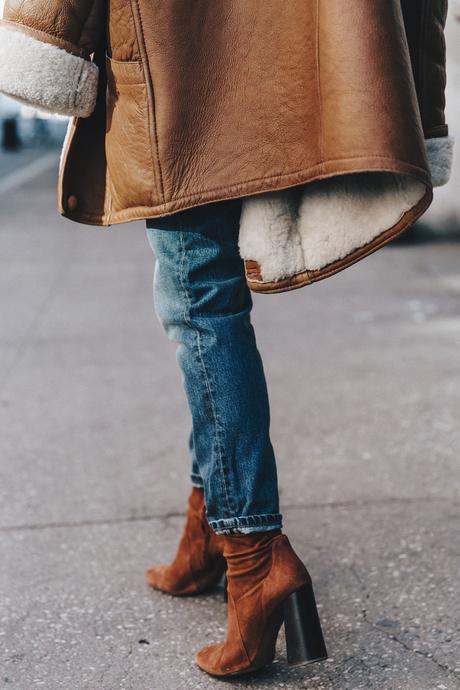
(364, 377)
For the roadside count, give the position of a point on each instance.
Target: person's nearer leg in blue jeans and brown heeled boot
(202, 299)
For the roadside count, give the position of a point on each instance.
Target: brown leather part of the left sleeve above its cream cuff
(75, 25)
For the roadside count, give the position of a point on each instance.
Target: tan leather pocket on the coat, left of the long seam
(129, 135)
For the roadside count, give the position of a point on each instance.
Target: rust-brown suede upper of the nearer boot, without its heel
(263, 571)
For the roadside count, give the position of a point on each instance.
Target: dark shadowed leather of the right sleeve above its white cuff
(425, 21)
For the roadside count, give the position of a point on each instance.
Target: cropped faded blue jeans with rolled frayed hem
(204, 304)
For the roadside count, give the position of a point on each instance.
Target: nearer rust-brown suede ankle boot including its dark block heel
(267, 583)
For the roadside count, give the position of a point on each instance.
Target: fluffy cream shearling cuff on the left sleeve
(45, 76)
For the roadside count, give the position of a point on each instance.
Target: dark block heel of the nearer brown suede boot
(304, 637)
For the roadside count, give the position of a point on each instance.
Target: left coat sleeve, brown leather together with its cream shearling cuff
(47, 50)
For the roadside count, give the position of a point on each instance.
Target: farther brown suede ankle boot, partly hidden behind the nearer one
(199, 563)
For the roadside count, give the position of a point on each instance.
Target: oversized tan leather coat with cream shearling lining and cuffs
(326, 116)
